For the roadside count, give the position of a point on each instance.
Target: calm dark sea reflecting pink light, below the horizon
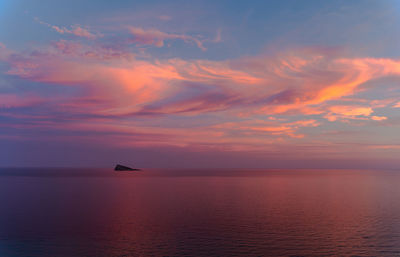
(95, 212)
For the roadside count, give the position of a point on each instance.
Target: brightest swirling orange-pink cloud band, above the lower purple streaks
(299, 84)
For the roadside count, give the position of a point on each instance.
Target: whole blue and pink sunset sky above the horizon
(200, 84)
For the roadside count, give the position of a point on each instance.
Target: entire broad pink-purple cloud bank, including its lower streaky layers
(243, 104)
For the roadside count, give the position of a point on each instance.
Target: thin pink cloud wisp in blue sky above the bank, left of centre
(157, 38)
